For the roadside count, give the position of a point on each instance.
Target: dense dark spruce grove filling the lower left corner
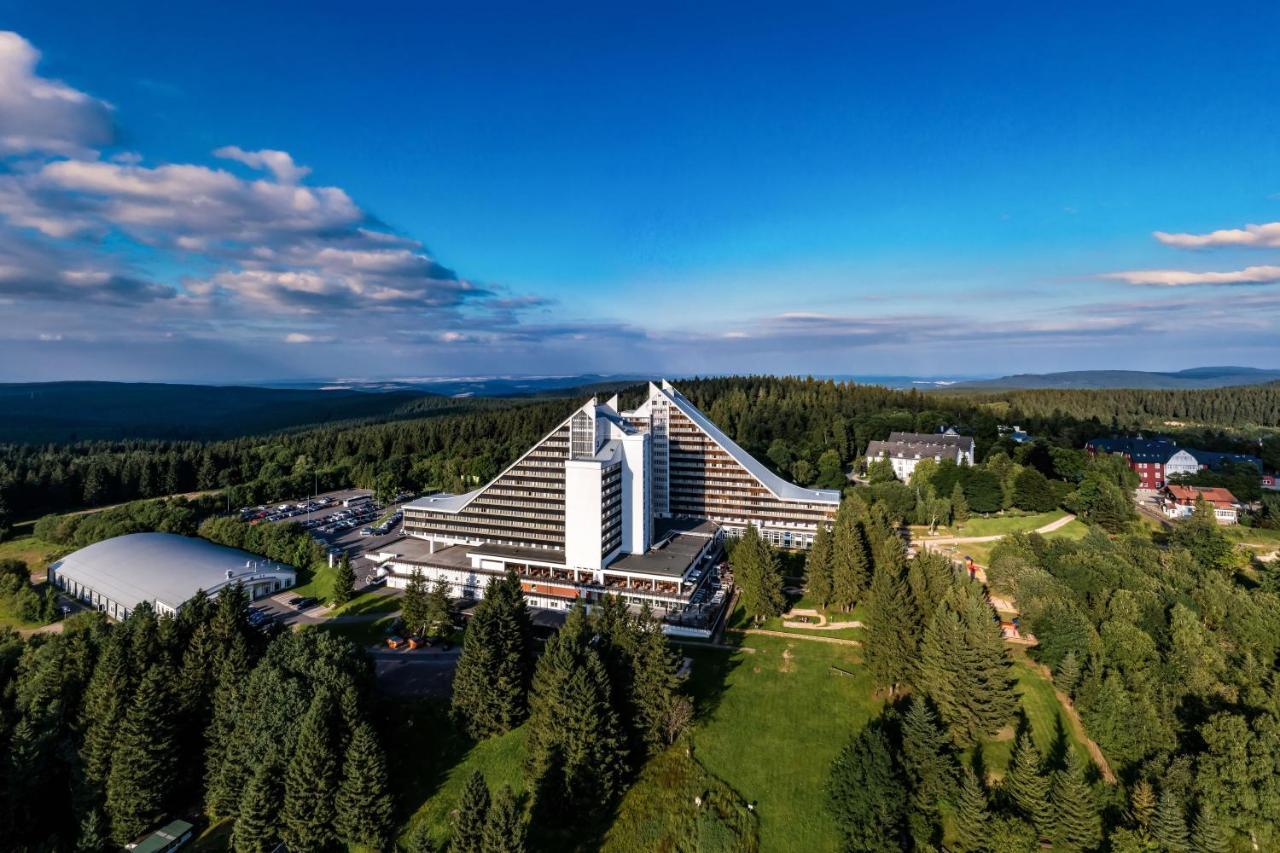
(111, 728)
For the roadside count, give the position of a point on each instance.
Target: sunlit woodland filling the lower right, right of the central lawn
(1169, 654)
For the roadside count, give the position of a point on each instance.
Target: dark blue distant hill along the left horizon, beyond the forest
(68, 412)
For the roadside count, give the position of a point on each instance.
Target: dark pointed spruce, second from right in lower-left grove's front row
(307, 819)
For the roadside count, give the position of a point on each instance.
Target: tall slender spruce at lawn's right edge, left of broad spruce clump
(892, 624)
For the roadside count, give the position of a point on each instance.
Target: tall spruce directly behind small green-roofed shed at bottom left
(144, 765)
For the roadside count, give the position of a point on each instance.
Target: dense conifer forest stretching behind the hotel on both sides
(807, 430)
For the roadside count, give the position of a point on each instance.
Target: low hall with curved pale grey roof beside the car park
(166, 569)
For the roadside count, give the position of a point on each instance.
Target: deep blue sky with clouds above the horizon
(260, 191)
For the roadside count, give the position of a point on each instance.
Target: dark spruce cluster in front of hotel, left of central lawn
(598, 701)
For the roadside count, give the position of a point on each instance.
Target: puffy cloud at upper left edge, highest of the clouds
(39, 115)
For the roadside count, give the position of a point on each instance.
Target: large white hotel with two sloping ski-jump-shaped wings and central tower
(609, 503)
